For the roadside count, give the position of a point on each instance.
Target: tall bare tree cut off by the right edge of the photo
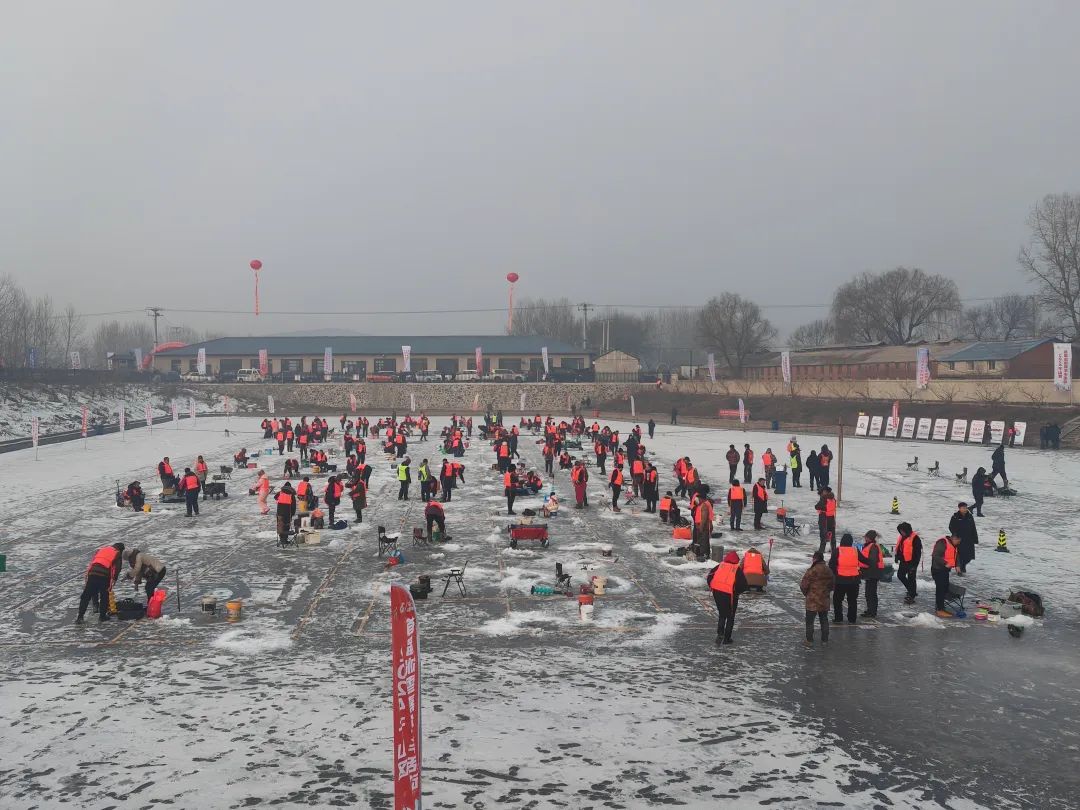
(1052, 256)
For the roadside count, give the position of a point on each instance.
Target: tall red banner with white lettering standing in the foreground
(406, 659)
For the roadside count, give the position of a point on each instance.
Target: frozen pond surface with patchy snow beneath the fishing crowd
(524, 705)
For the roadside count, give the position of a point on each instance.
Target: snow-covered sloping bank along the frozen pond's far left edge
(60, 409)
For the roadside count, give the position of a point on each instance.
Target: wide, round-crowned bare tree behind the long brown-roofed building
(895, 307)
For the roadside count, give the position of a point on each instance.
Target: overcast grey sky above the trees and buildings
(410, 155)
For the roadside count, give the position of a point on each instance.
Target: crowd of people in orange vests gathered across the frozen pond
(830, 583)
